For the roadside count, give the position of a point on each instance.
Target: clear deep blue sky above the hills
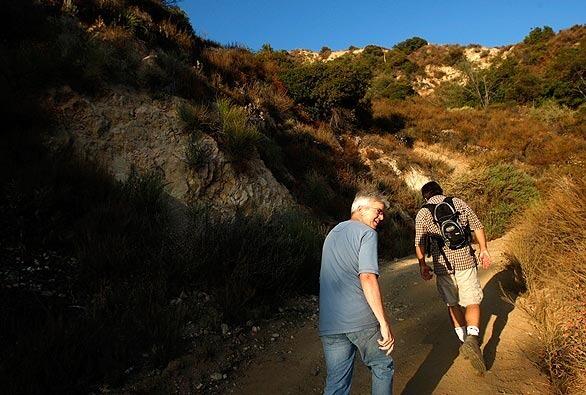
(313, 24)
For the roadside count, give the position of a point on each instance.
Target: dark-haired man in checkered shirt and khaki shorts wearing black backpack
(443, 228)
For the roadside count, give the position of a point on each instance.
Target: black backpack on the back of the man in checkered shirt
(453, 234)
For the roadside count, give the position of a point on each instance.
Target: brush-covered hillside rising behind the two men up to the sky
(155, 184)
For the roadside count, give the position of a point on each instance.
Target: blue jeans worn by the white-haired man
(339, 353)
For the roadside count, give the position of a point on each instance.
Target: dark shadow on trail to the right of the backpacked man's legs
(500, 294)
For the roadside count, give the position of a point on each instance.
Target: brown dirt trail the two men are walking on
(426, 352)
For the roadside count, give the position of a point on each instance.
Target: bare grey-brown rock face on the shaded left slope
(125, 129)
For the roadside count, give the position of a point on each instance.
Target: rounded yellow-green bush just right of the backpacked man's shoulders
(496, 193)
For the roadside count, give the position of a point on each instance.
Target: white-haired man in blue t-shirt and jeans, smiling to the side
(351, 313)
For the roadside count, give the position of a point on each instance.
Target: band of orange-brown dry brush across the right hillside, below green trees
(511, 134)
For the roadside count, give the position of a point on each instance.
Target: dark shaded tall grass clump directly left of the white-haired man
(252, 262)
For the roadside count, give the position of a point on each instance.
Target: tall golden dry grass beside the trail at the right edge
(550, 246)
